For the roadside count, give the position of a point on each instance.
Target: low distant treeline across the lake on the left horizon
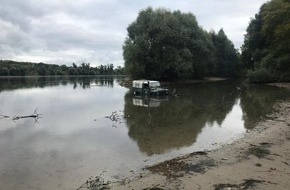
(13, 68)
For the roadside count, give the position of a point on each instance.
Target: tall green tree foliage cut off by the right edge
(266, 50)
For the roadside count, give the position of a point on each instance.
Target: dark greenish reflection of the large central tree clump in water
(176, 123)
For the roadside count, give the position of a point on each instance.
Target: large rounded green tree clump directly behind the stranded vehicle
(163, 44)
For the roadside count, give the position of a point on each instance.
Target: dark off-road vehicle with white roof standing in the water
(148, 87)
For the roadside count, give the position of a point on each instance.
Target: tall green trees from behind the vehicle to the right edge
(166, 45)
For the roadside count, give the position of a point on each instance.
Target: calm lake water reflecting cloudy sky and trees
(92, 125)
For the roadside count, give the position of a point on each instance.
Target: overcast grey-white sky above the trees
(93, 31)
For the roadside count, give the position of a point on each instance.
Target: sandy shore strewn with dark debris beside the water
(260, 160)
